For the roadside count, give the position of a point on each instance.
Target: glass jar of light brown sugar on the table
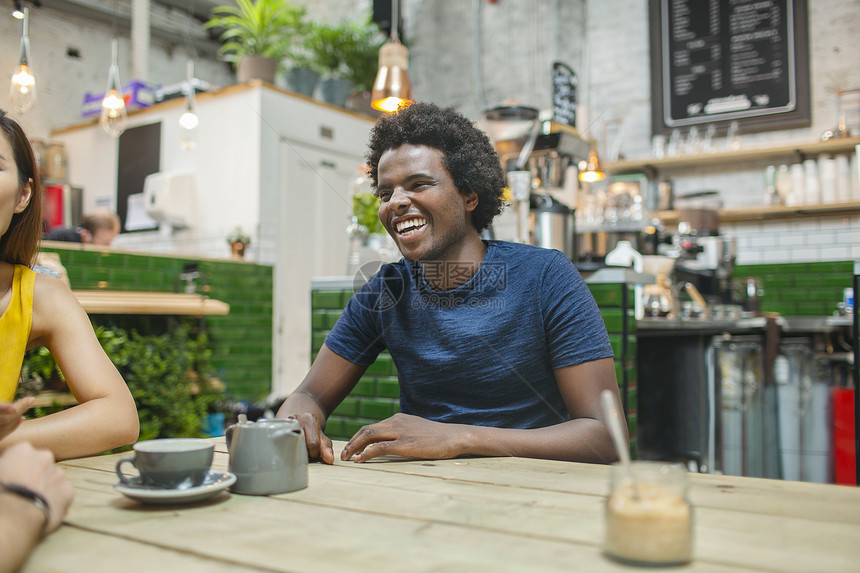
(649, 522)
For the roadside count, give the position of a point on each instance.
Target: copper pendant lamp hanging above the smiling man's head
(391, 89)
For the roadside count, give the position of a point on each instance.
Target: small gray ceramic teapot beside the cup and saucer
(268, 456)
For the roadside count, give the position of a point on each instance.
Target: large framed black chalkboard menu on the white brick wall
(718, 61)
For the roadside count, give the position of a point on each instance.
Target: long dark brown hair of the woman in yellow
(20, 243)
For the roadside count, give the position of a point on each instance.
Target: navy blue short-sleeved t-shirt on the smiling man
(483, 353)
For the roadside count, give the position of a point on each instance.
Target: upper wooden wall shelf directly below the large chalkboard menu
(796, 151)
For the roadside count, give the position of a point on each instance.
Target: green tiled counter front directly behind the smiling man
(376, 396)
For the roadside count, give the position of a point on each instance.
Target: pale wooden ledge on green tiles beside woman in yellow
(166, 303)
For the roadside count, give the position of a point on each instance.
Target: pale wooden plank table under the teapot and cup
(472, 515)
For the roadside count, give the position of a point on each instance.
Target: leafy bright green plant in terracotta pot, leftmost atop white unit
(256, 35)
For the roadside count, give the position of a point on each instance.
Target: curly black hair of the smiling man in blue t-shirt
(467, 152)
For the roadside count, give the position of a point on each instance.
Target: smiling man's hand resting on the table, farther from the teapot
(405, 435)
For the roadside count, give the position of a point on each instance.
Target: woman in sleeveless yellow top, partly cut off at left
(39, 310)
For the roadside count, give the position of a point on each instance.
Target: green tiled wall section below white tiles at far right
(800, 289)
